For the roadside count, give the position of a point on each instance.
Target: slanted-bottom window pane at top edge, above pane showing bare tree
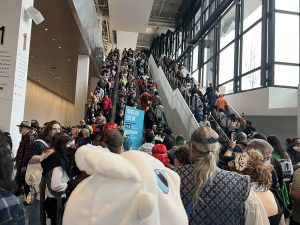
(252, 12)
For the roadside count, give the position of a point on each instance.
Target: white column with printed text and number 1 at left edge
(15, 34)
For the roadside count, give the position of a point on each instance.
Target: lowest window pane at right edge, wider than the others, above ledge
(286, 75)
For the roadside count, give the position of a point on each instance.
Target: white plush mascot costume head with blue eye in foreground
(129, 189)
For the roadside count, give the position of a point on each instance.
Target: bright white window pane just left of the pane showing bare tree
(226, 64)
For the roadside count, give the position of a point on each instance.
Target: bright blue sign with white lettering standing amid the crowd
(133, 126)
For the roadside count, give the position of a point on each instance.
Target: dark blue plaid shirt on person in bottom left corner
(11, 211)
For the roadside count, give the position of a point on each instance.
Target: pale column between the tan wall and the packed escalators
(82, 82)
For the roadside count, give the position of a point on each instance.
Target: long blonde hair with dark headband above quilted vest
(204, 141)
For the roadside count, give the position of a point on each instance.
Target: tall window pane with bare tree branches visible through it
(251, 57)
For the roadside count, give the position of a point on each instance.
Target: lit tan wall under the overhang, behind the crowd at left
(44, 106)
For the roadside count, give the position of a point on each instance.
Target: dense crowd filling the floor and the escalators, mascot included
(238, 176)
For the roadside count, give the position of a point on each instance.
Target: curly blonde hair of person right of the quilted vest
(256, 168)
